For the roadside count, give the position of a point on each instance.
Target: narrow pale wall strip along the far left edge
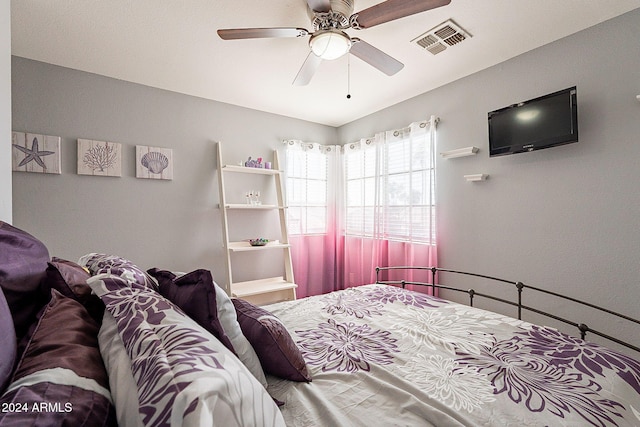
(5, 112)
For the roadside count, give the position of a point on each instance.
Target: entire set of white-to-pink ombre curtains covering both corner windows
(375, 199)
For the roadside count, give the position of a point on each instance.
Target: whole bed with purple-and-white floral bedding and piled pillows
(100, 342)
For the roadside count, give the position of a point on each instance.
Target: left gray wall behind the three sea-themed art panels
(169, 224)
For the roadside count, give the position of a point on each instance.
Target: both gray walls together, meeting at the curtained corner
(565, 218)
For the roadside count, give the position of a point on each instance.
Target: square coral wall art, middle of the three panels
(99, 158)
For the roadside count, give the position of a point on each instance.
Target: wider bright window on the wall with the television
(390, 188)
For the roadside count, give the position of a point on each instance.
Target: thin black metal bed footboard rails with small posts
(519, 287)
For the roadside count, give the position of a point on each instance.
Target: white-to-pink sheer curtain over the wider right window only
(390, 204)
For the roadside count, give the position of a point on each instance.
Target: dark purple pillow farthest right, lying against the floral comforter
(278, 353)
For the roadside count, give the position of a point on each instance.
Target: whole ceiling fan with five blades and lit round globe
(329, 41)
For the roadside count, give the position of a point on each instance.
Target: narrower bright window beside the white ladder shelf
(306, 167)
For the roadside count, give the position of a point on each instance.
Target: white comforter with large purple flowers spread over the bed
(383, 356)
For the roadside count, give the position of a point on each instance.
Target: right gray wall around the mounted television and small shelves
(565, 218)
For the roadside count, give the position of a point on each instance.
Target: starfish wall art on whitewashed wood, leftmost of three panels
(35, 153)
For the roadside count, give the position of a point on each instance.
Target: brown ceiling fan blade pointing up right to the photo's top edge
(393, 9)
